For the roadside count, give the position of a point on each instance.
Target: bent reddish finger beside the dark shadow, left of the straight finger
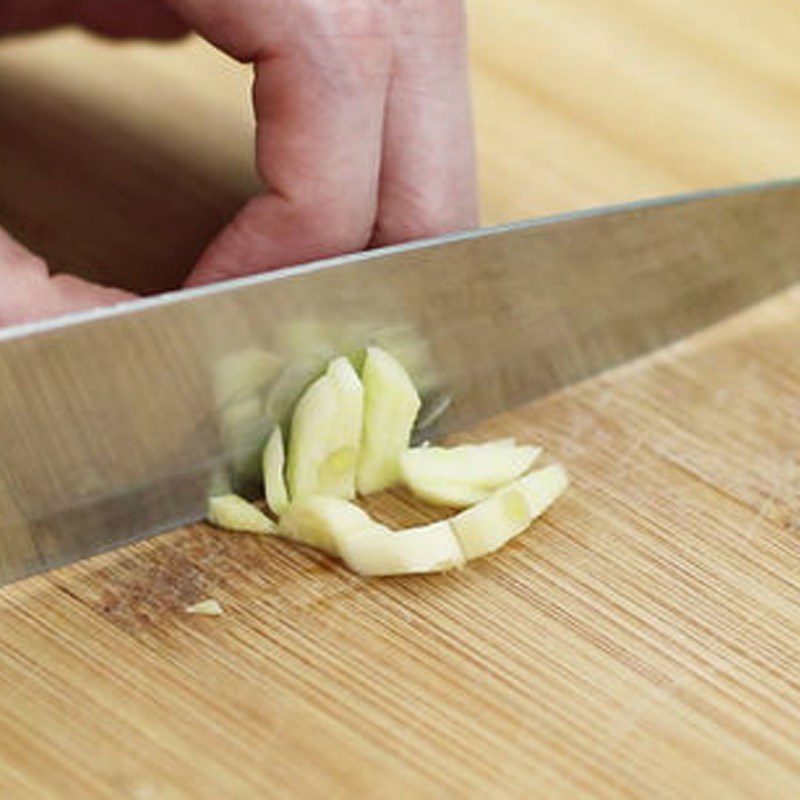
(322, 72)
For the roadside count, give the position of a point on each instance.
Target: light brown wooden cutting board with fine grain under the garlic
(641, 641)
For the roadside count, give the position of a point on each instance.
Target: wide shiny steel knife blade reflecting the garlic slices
(116, 424)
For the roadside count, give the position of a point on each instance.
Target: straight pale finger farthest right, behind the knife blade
(428, 182)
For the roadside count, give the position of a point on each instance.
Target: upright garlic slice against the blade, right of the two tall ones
(391, 404)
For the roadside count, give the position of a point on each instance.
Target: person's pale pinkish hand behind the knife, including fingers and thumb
(363, 130)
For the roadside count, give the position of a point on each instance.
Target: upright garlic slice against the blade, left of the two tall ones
(325, 436)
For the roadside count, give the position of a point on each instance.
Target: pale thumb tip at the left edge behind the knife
(29, 293)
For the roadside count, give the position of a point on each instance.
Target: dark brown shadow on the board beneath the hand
(98, 199)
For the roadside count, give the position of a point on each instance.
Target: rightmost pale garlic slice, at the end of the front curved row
(493, 522)
